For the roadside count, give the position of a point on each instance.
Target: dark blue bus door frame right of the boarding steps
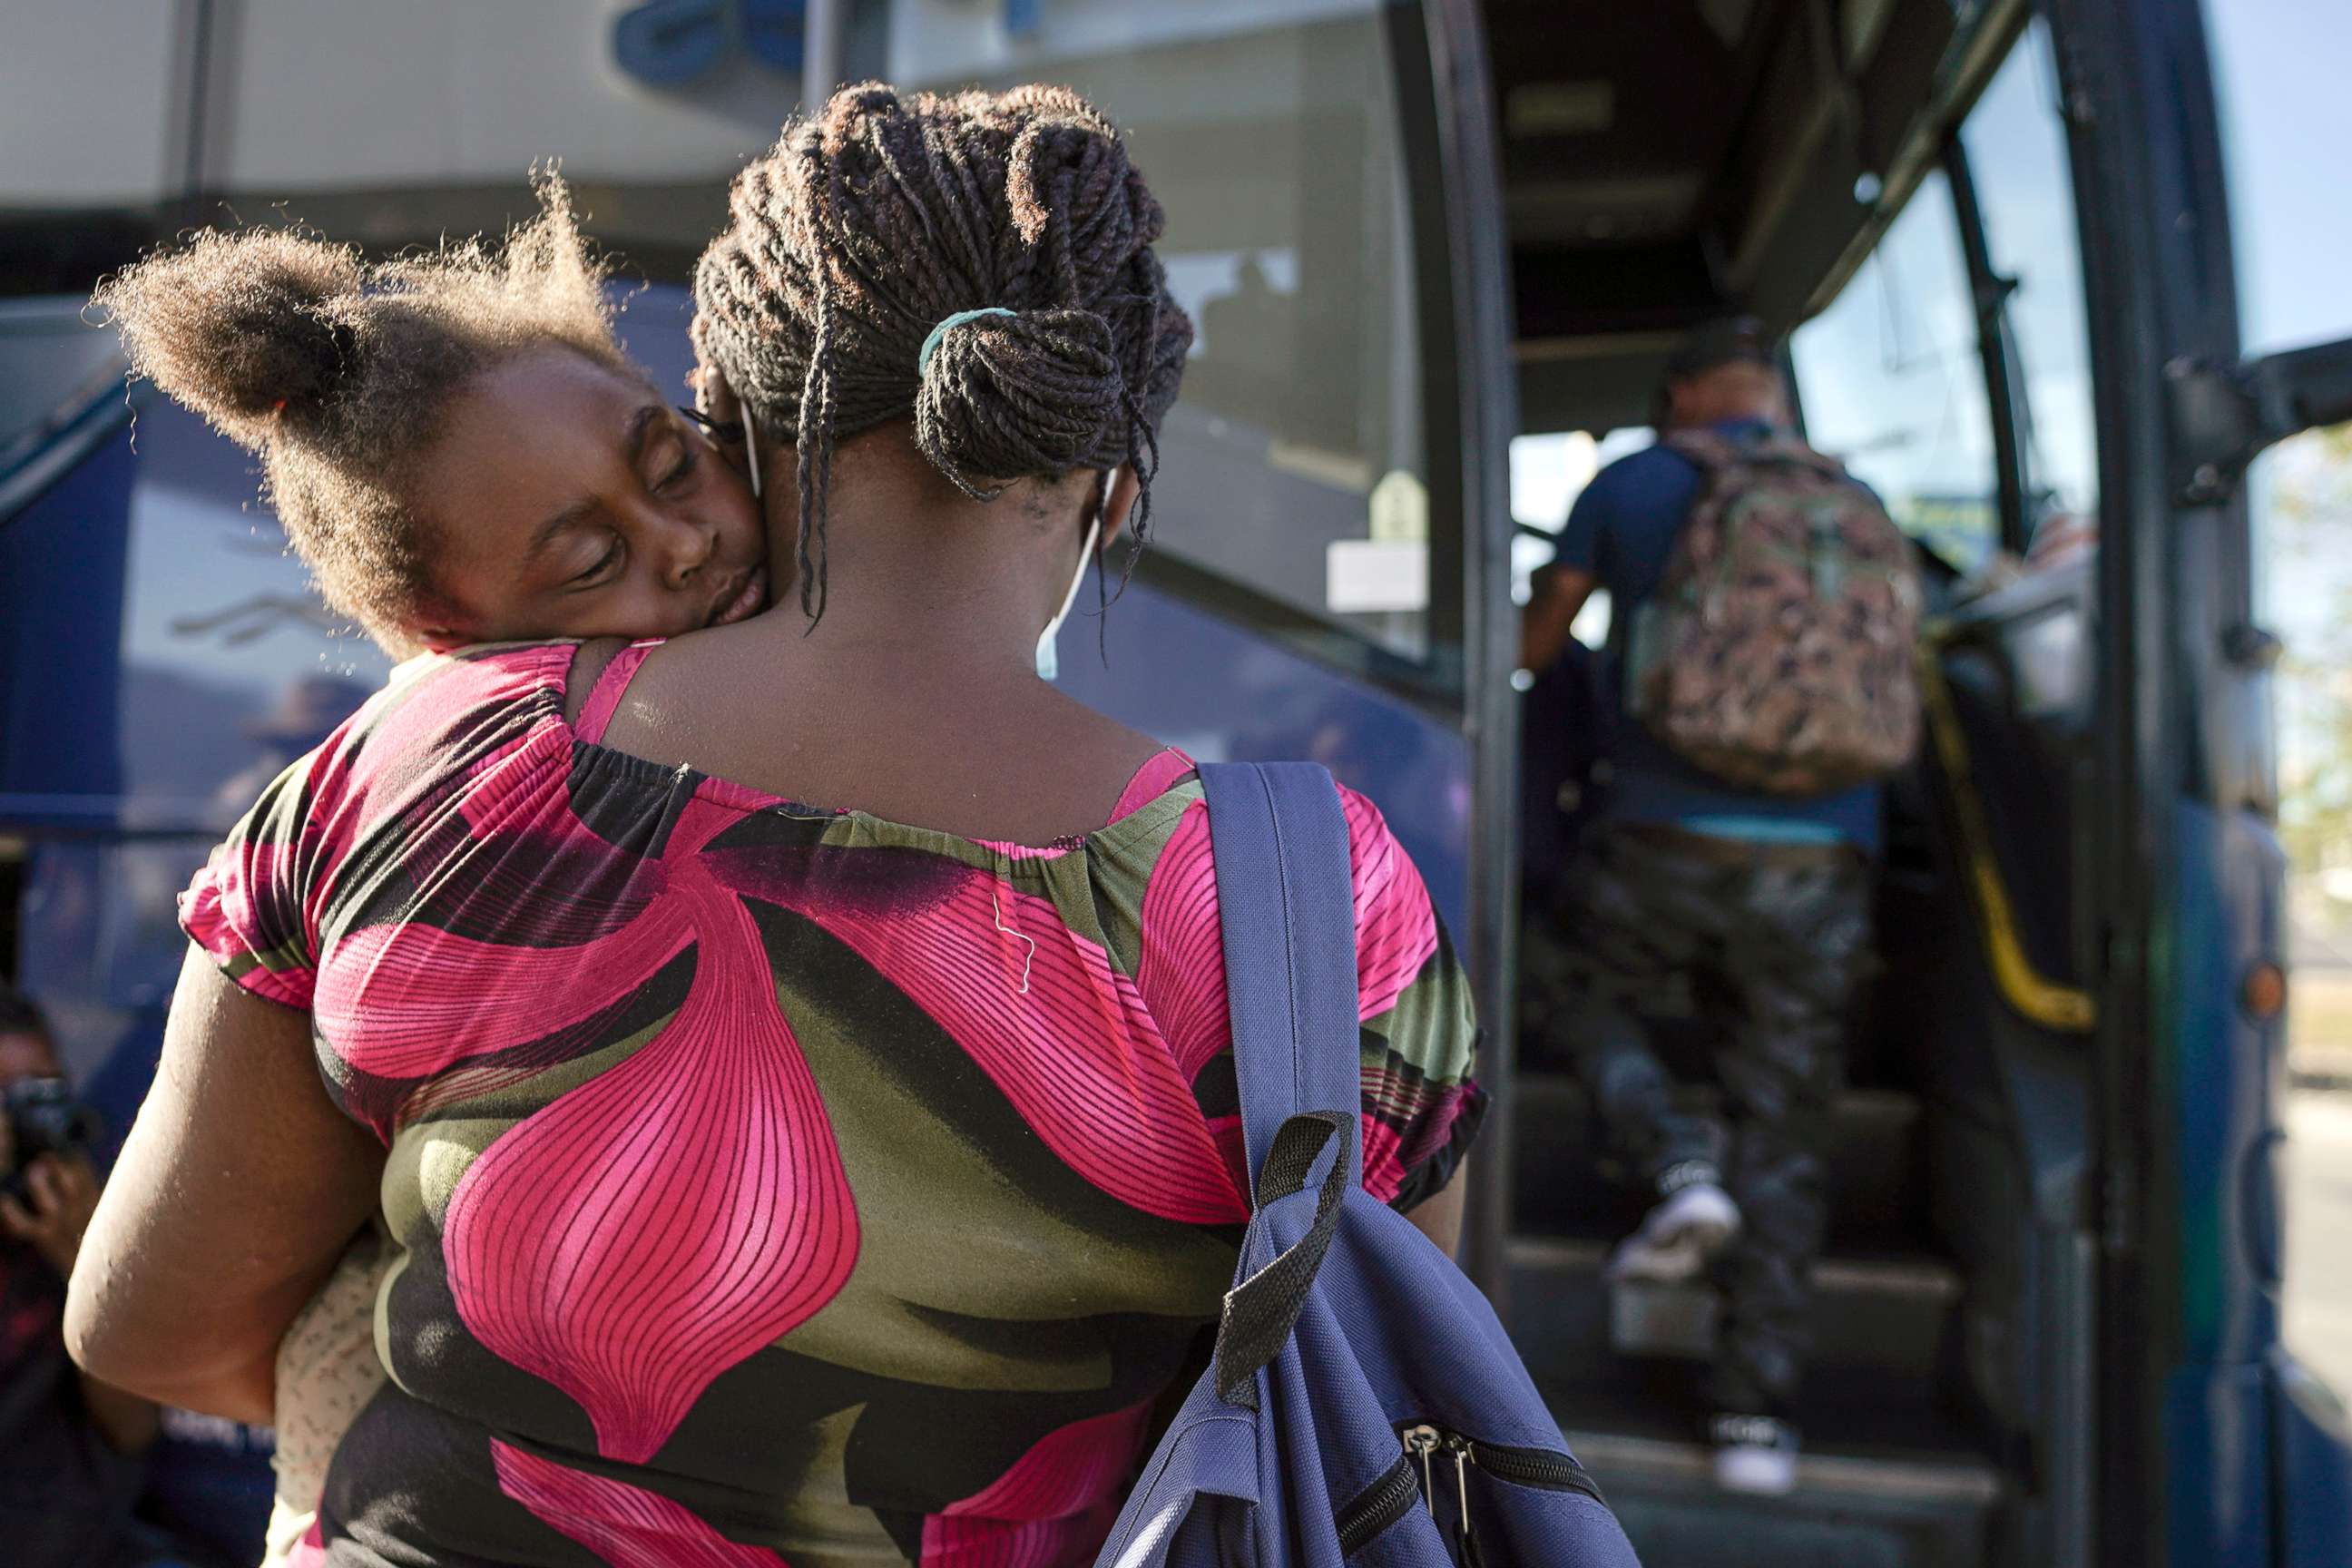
(2214, 1447)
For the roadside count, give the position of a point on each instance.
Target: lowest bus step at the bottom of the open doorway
(1852, 1508)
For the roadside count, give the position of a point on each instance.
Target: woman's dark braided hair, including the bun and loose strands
(874, 225)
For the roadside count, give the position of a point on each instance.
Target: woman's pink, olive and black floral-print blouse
(773, 1186)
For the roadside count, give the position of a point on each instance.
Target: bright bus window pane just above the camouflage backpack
(1892, 382)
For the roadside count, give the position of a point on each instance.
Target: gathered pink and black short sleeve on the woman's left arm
(248, 909)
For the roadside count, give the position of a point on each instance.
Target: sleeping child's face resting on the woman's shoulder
(570, 502)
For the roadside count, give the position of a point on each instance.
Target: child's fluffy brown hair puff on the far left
(243, 326)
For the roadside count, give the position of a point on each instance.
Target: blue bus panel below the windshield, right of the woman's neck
(1227, 695)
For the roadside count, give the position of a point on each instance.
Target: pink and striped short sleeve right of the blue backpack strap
(1419, 1028)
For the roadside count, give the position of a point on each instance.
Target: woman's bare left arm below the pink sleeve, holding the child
(234, 1198)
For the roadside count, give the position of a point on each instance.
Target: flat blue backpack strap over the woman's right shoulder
(1288, 913)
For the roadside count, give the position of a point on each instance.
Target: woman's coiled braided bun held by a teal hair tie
(1015, 396)
